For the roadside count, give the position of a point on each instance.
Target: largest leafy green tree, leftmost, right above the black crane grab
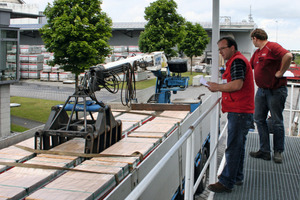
(77, 33)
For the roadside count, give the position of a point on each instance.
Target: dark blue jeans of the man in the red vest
(238, 126)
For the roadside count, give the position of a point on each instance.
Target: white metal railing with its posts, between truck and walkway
(189, 176)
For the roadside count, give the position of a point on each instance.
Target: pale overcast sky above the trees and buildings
(280, 19)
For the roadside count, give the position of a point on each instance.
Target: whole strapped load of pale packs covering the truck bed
(100, 174)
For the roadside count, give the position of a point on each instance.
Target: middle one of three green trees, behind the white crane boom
(162, 32)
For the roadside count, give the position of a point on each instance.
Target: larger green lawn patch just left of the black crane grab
(33, 109)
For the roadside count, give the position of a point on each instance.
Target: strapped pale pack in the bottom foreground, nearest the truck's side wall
(82, 185)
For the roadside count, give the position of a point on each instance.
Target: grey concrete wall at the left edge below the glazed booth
(5, 110)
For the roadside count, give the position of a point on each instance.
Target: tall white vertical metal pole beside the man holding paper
(214, 115)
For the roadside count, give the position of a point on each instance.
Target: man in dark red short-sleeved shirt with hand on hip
(269, 61)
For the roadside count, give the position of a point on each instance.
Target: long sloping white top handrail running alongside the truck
(141, 187)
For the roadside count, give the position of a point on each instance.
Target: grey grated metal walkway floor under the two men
(266, 180)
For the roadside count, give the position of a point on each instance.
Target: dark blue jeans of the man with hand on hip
(270, 100)
